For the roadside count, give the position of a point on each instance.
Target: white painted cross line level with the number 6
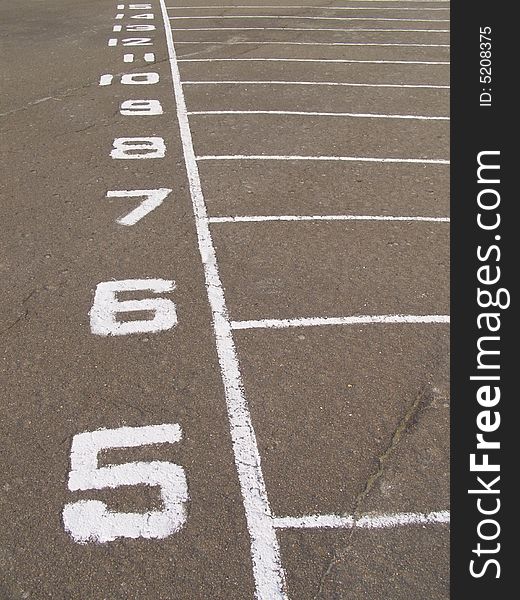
(352, 320)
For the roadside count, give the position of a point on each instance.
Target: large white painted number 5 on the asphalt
(90, 520)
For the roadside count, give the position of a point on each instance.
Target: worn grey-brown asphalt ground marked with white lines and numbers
(349, 420)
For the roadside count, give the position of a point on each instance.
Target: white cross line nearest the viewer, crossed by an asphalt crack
(371, 521)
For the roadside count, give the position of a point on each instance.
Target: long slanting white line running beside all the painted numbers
(265, 552)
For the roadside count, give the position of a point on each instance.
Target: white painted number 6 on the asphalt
(106, 307)
